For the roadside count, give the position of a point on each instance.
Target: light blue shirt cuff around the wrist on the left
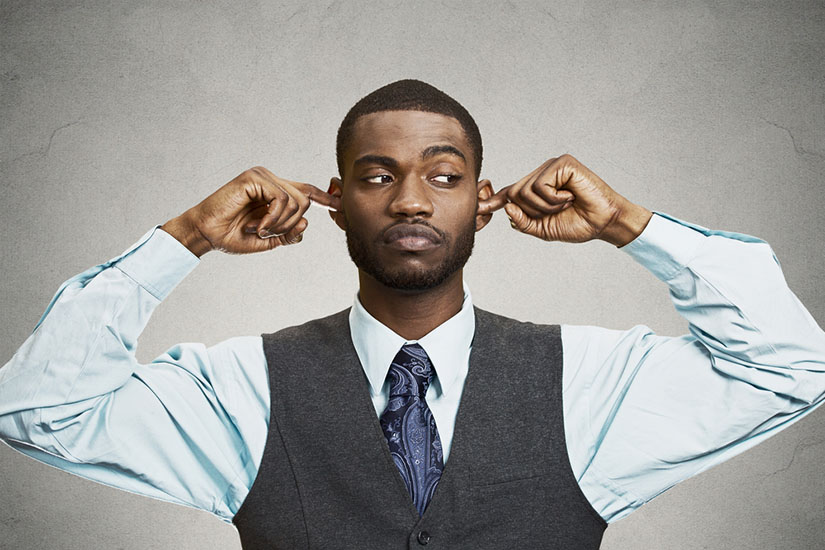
(158, 262)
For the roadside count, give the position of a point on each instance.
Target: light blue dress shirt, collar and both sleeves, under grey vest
(641, 411)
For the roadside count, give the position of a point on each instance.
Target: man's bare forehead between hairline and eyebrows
(401, 134)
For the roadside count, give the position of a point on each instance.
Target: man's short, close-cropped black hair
(408, 95)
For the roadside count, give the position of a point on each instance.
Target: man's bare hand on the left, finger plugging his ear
(254, 212)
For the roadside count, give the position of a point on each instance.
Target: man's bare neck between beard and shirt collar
(411, 314)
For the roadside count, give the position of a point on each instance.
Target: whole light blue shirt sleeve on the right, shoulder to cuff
(644, 412)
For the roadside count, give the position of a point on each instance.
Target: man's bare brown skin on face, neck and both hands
(404, 167)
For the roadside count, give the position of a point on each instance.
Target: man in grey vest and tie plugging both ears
(413, 418)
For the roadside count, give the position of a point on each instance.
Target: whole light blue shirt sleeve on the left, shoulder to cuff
(188, 427)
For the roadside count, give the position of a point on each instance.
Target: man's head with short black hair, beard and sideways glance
(409, 158)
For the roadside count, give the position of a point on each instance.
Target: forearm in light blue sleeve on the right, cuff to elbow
(731, 290)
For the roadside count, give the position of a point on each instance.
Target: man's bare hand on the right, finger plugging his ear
(562, 200)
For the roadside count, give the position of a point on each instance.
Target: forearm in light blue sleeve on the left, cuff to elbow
(91, 328)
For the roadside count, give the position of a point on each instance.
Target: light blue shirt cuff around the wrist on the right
(666, 245)
